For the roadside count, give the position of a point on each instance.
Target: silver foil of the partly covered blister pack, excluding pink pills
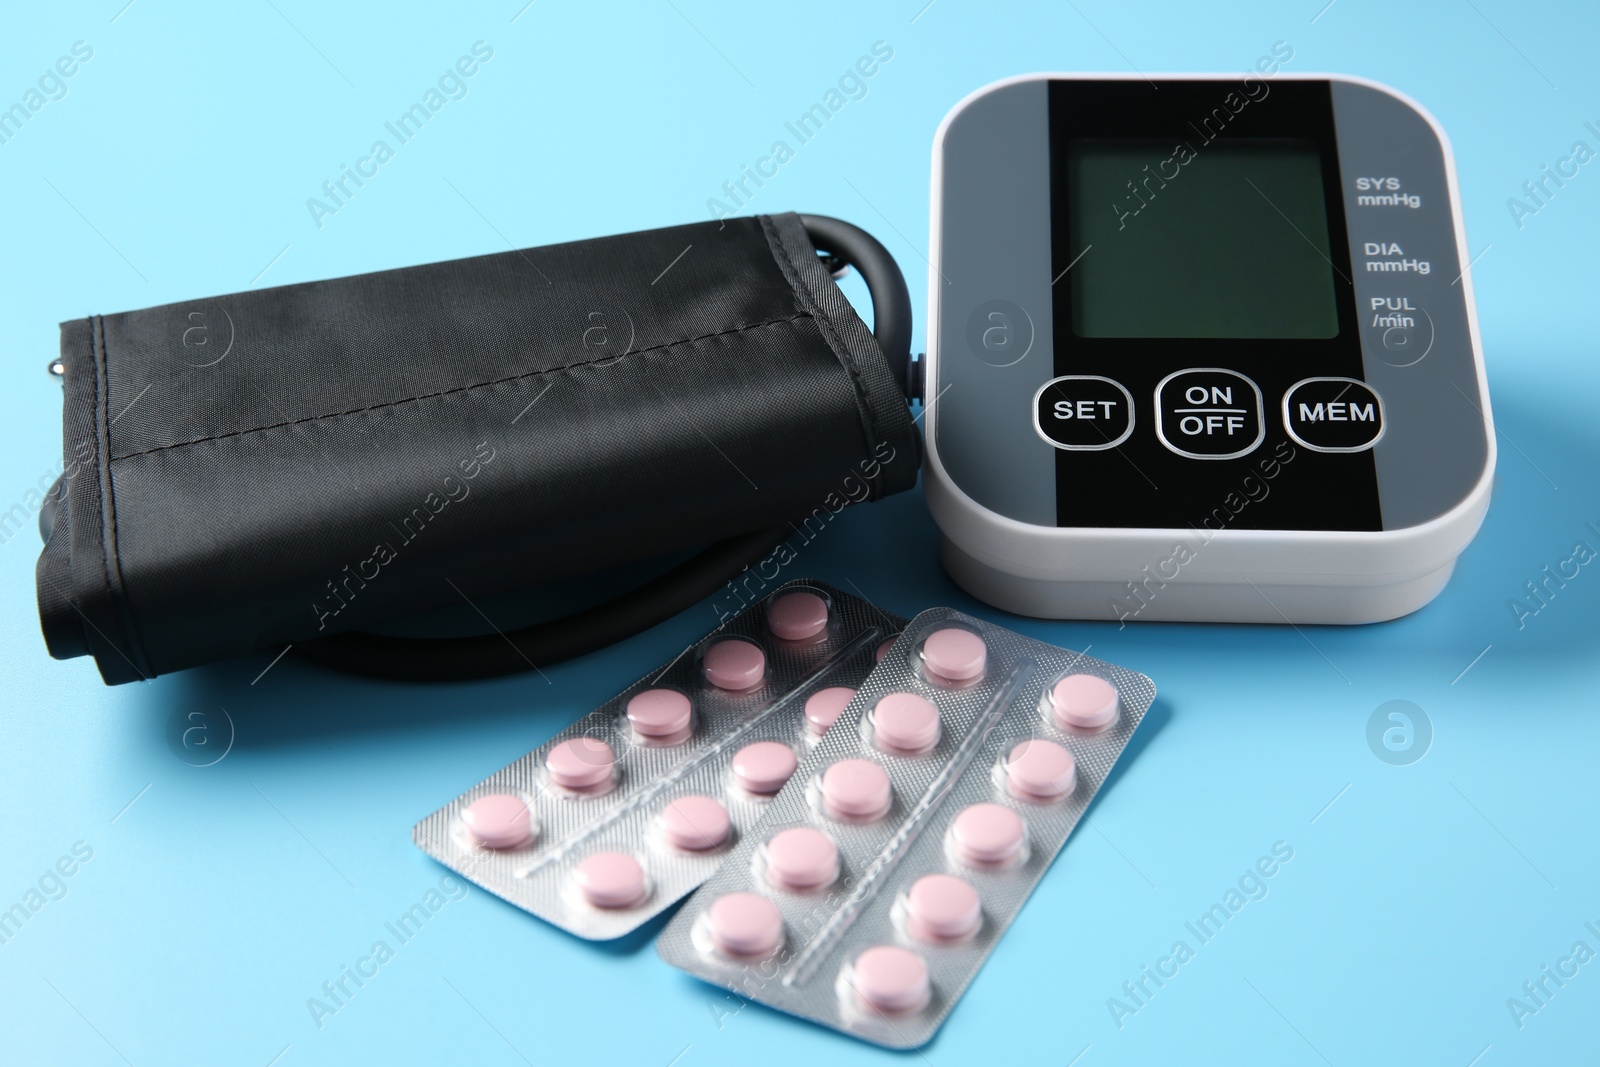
(623, 813)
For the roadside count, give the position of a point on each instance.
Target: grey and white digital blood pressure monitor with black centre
(1202, 350)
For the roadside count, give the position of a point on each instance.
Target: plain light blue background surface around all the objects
(1417, 905)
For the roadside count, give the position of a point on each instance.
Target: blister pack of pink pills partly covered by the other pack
(634, 805)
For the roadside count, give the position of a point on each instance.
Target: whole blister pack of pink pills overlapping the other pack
(914, 833)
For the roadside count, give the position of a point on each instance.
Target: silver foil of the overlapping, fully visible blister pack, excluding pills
(826, 930)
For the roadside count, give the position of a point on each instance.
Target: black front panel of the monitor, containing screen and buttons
(1201, 263)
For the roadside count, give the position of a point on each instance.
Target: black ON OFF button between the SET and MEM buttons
(1209, 414)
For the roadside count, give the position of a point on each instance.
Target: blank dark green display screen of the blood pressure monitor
(1225, 239)
